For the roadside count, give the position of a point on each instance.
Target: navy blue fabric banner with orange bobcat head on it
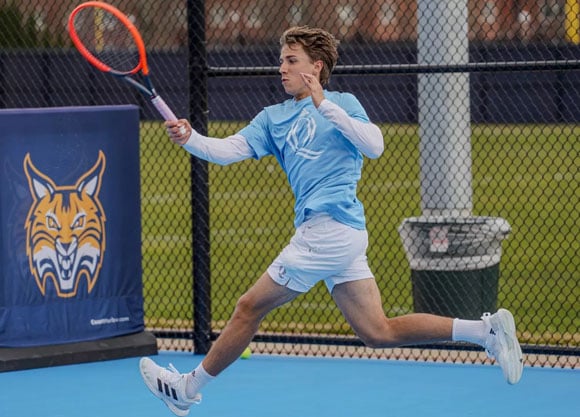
(70, 225)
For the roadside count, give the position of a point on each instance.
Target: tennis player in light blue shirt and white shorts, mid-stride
(319, 138)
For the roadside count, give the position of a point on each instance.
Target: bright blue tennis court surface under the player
(288, 386)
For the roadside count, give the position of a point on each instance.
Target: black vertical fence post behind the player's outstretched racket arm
(198, 110)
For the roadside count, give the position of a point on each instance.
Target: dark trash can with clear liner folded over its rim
(454, 263)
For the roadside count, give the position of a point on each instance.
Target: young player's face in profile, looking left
(293, 61)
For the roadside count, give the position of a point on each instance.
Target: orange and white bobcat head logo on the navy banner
(65, 229)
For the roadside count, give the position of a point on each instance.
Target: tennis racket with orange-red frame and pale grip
(110, 42)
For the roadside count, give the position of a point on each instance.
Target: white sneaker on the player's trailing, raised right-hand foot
(502, 344)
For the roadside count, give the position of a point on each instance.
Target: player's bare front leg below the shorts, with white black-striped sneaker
(180, 391)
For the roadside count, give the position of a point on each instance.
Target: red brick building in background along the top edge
(240, 22)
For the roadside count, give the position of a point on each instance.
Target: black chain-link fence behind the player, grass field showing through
(473, 205)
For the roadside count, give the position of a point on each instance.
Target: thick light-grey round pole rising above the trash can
(444, 109)
